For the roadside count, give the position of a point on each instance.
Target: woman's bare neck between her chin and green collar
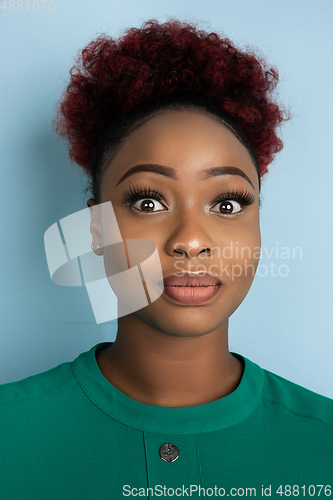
(167, 370)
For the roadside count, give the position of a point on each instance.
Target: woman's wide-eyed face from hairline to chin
(221, 238)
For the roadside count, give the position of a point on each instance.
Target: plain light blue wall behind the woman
(284, 324)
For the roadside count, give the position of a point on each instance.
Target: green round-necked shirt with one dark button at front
(68, 433)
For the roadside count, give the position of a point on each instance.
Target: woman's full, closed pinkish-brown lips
(191, 289)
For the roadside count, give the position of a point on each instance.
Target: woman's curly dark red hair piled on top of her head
(112, 77)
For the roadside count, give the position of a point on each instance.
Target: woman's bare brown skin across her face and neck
(167, 353)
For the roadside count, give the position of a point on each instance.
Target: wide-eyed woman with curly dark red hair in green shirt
(175, 127)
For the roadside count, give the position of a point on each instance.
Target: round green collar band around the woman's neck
(207, 417)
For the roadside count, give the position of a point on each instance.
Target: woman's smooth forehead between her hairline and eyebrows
(187, 140)
